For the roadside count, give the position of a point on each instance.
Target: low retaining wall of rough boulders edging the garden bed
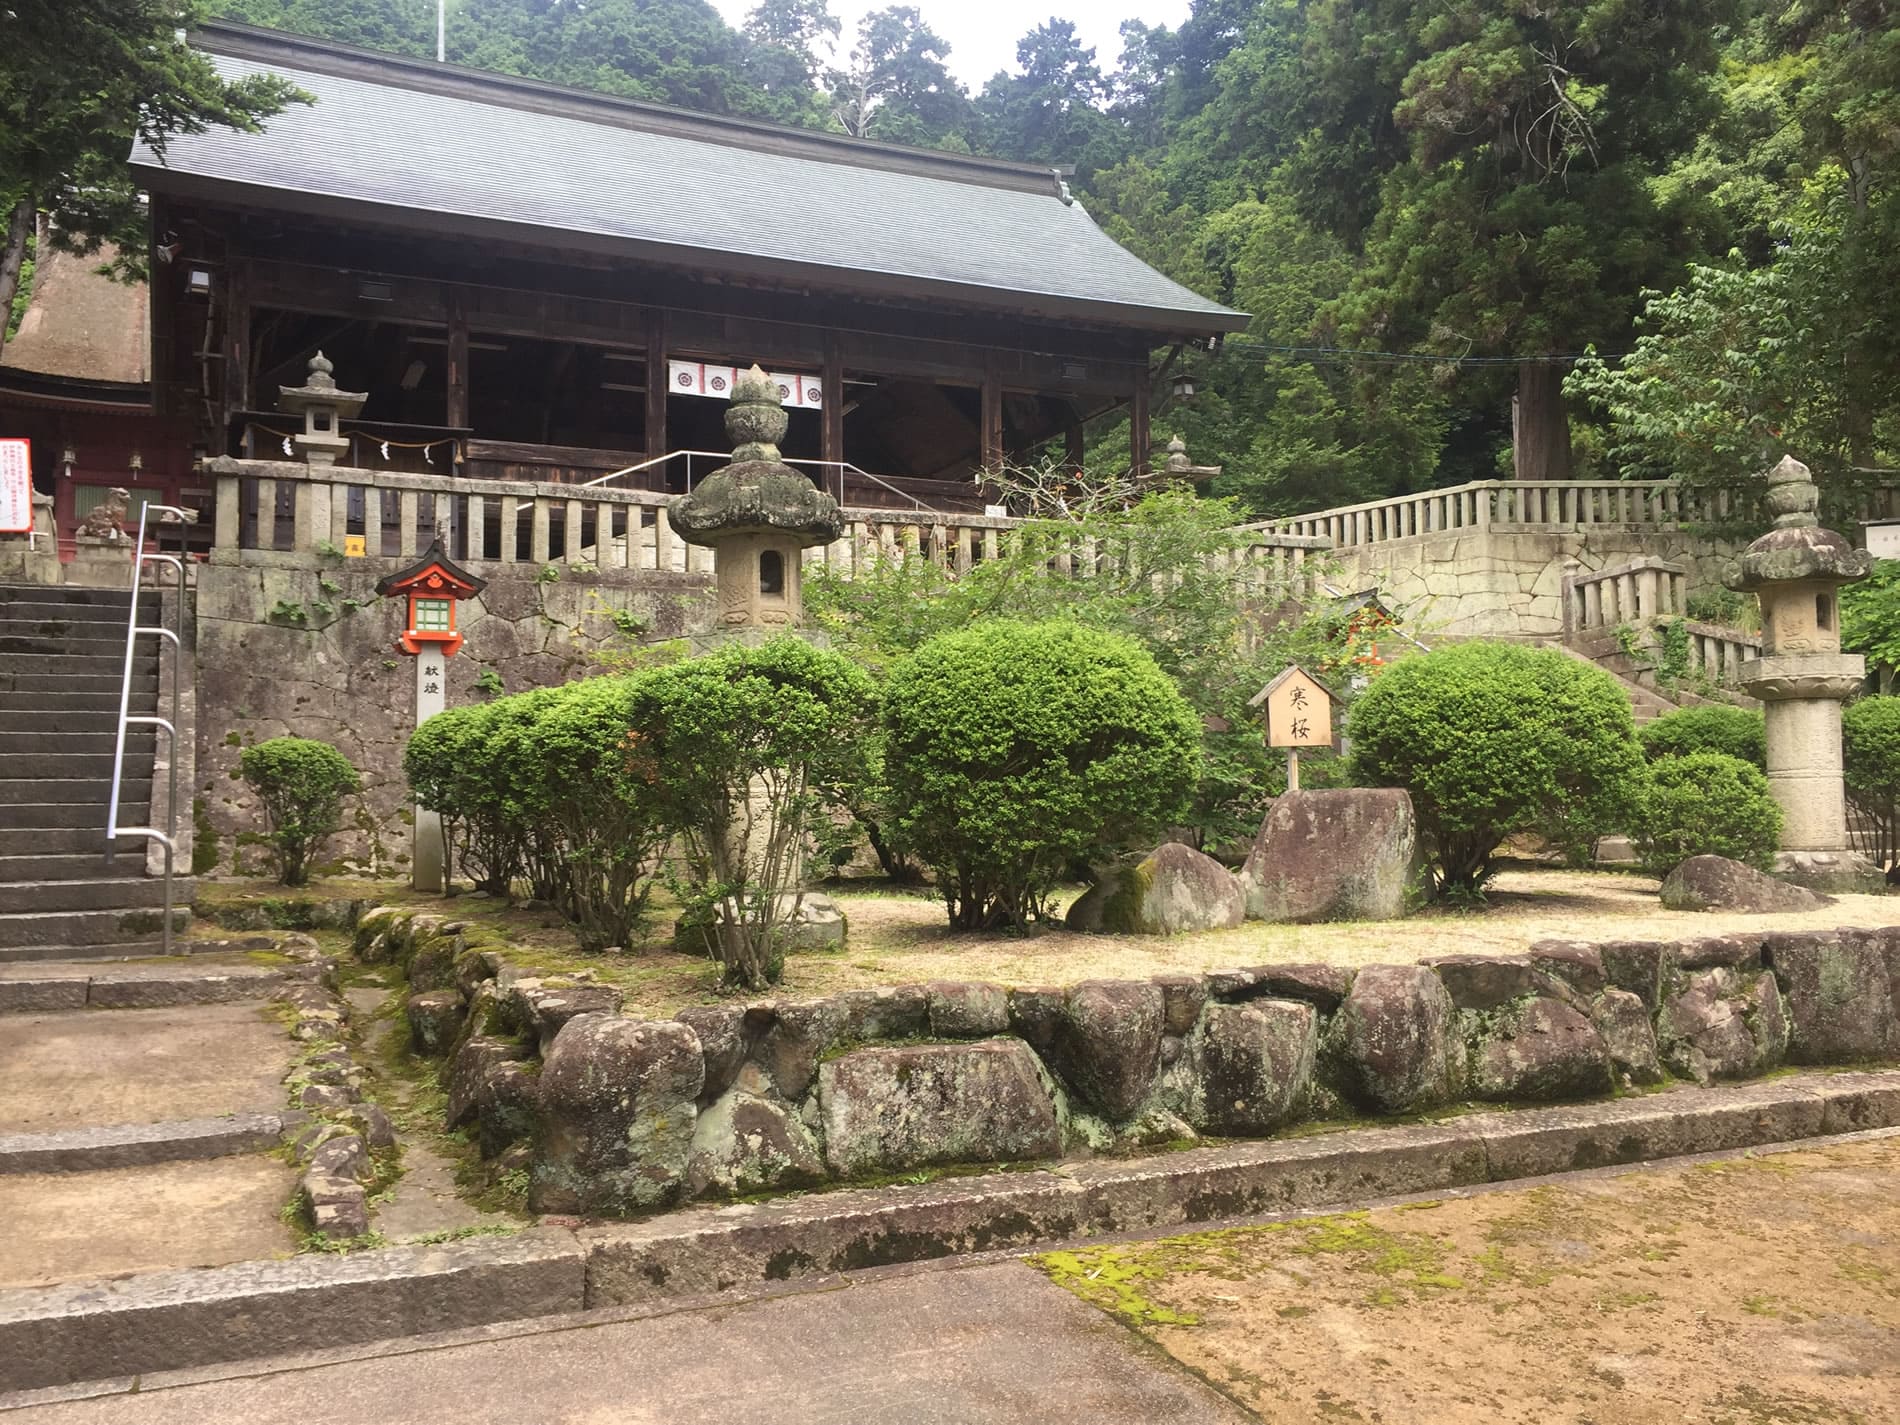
(618, 1116)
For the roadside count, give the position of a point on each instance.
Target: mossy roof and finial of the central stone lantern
(757, 493)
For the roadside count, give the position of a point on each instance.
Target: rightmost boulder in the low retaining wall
(1840, 997)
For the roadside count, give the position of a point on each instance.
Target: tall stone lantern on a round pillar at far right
(1804, 677)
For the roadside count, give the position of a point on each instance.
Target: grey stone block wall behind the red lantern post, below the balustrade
(305, 647)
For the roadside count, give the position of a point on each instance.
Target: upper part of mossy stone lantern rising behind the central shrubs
(757, 516)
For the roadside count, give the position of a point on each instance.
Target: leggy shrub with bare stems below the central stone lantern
(734, 750)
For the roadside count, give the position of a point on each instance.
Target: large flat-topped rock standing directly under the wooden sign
(1333, 856)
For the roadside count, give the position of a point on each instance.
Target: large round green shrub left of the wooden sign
(1021, 750)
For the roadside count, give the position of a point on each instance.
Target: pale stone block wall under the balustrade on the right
(1500, 584)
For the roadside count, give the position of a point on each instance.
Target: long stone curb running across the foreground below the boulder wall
(181, 1320)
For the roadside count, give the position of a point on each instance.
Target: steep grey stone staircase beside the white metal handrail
(62, 664)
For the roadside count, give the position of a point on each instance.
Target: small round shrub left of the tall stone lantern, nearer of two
(1705, 805)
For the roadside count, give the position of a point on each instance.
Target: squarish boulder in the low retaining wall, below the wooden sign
(1255, 1065)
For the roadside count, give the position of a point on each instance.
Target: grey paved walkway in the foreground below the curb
(964, 1346)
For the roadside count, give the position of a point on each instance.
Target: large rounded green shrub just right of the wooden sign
(1492, 740)
